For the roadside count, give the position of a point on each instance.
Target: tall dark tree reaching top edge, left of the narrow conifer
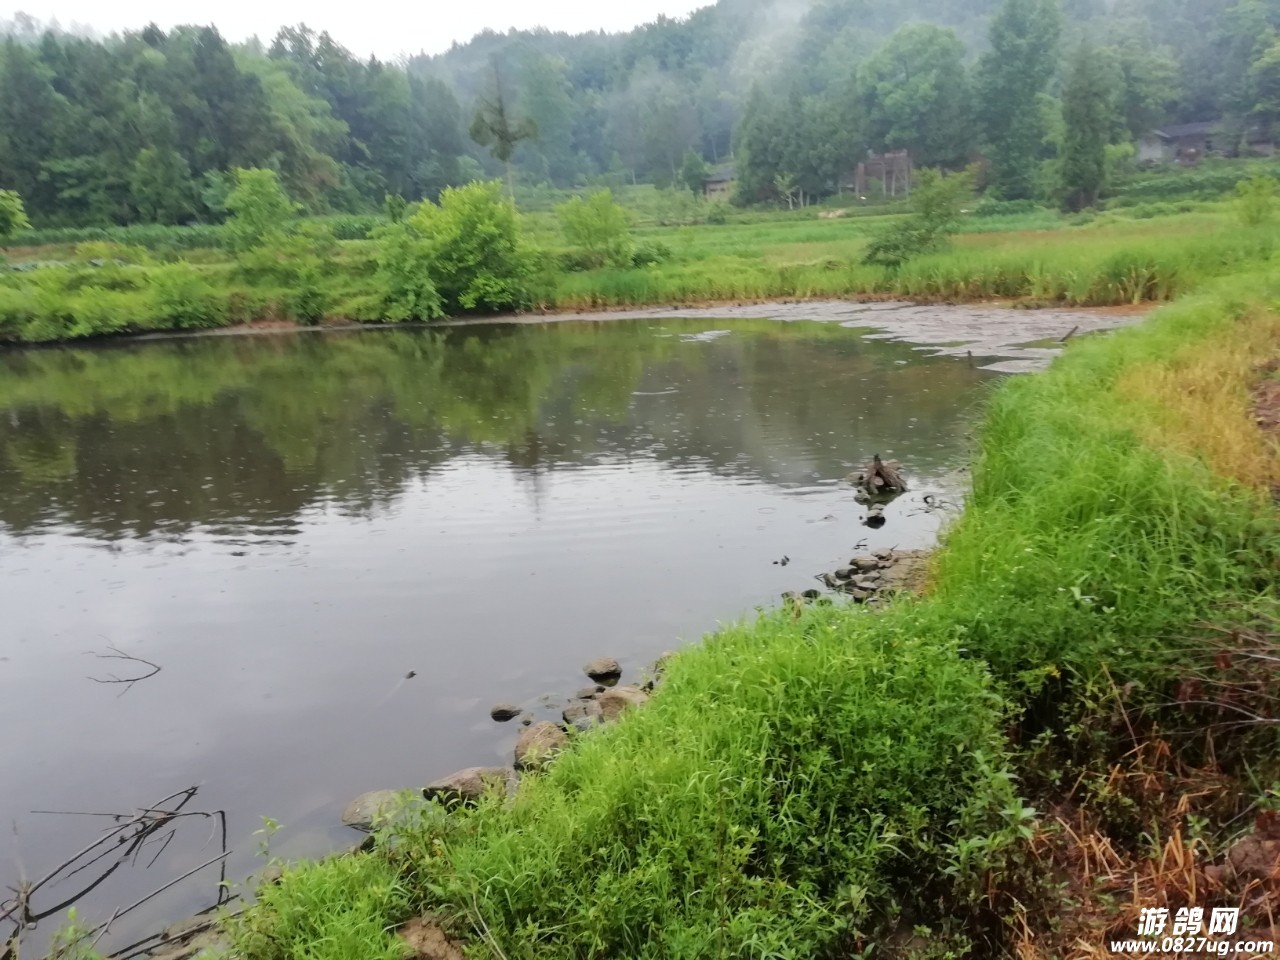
(1012, 75)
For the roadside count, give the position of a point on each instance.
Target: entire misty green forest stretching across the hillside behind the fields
(149, 126)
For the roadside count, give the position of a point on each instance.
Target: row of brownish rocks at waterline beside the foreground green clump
(538, 744)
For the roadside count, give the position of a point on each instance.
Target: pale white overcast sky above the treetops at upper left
(385, 28)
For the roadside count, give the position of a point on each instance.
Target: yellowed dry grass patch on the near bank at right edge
(1204, 406)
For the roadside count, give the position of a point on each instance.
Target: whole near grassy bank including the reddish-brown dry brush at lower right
(822, 780)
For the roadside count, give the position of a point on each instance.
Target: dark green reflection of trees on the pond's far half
(245, 433)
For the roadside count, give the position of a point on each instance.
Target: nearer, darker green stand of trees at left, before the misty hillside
(148, 127)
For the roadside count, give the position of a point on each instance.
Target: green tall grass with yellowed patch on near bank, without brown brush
(804, 784)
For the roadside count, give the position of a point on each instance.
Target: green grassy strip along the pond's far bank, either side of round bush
(179, 281)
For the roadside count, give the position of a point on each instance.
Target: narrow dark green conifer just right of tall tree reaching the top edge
(1087, 120)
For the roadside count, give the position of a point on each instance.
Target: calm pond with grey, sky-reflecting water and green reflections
(287, 527)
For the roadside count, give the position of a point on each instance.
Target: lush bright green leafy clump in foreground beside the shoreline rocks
(797, 783)
